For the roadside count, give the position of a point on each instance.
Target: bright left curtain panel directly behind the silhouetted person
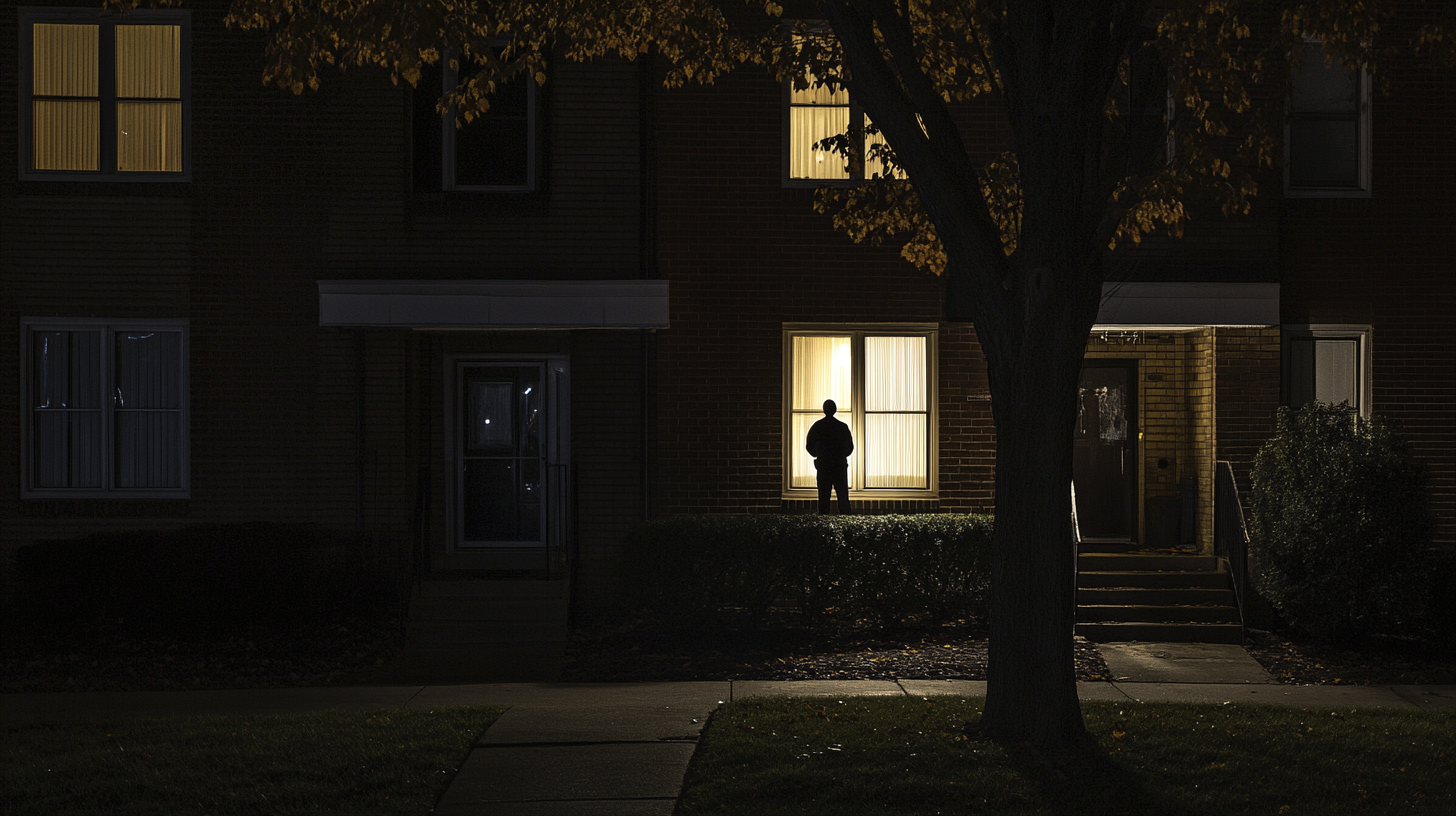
(823, 369)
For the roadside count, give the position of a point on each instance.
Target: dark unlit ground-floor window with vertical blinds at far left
(107, 409)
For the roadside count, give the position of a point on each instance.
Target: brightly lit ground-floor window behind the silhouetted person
(883, 387)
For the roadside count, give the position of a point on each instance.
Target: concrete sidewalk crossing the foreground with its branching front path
(617, 750)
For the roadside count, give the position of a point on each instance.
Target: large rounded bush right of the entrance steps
(1340, 525)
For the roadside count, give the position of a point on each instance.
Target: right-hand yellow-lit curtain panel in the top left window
(149, 98)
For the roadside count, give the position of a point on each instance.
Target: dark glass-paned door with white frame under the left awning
(512, 457)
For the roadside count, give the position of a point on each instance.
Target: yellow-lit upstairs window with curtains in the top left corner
(104, 97)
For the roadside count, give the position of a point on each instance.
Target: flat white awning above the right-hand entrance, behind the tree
(1189, 305)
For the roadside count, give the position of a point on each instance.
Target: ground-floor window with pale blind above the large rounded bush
(1329, 364)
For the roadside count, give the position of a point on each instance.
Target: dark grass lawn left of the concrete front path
(357, 763)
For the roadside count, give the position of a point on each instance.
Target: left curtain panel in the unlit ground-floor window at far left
(66, 409)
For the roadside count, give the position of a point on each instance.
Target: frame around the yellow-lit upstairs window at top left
(107, 76)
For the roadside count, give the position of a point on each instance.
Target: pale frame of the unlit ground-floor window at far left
(108, 471)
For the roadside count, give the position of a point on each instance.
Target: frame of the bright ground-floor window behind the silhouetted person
(858, 333)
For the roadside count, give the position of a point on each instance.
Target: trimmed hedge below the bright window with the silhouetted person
(898, 568)
